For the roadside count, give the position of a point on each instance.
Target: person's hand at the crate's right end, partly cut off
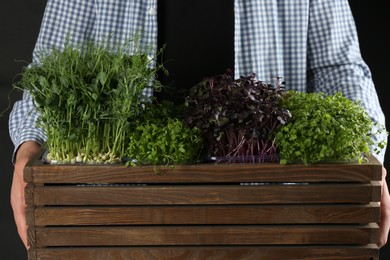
(384, 225)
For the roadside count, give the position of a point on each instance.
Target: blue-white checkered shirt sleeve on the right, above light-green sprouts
(335, 62)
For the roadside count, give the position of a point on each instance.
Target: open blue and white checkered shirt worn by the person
(313, 44)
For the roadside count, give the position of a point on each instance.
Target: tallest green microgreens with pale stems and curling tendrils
(86, 95)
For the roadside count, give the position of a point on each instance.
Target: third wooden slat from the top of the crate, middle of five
(191, 215)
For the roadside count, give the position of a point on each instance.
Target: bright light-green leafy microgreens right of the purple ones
(324, 128)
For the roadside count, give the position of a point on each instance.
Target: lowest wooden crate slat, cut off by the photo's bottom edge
(226, 253)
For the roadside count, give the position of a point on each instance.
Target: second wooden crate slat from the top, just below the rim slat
(206, 194)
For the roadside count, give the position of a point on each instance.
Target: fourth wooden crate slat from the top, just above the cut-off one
(208, 235)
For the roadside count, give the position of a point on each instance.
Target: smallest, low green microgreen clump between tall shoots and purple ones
(159, 136)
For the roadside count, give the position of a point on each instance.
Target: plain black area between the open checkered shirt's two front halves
(185, 33)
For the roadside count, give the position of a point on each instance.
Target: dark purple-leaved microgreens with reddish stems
(238, 117)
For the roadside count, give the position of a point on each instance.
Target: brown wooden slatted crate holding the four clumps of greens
(205, 211)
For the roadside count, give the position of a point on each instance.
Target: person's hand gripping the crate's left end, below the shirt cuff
(26, 151)
